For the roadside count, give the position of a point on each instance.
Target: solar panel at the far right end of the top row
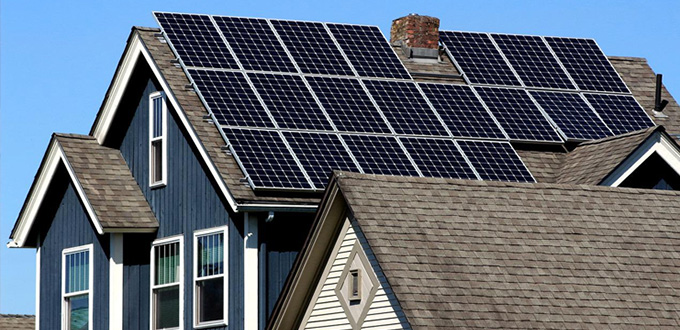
(587, 64)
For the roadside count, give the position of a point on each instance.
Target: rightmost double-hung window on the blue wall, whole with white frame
(210, 300)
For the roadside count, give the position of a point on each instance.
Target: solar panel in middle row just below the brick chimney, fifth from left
(462, 111)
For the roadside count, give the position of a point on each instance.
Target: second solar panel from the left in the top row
(255, 44)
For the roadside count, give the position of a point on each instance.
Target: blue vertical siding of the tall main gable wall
(187, 203)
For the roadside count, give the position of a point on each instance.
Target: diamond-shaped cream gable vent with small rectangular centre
(357, 286)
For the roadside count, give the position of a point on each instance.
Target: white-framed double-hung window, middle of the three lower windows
(166, 284)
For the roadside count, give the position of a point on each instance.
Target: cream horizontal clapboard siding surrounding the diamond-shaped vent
(327, 312)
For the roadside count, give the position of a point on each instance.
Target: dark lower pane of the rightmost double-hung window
(210, 299)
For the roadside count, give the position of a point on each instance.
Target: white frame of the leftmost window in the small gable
(89, 291)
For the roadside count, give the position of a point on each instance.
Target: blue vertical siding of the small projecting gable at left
(70, 227)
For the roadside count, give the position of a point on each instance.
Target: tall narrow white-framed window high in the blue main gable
(157, 139)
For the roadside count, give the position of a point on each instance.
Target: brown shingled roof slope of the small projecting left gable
(107, 183)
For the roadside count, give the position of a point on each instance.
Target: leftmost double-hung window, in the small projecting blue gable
(77, 288)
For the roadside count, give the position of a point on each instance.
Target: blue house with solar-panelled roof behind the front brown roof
(186, 205)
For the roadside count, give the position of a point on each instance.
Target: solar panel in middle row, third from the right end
(517, 114)
